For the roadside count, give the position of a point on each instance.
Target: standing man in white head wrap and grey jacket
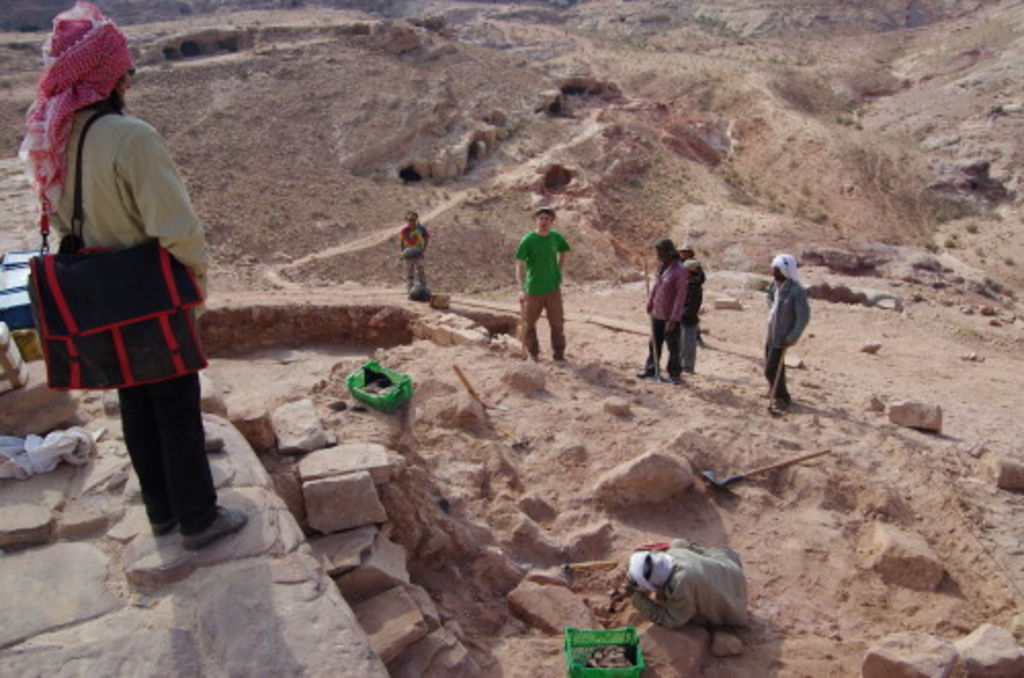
(788, 318)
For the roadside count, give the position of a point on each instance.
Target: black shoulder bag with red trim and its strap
(113, 319)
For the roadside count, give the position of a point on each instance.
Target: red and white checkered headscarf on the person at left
(83, 60)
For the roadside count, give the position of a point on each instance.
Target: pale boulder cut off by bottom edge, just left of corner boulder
(910, 656)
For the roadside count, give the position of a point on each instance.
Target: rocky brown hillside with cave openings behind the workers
(305, 135)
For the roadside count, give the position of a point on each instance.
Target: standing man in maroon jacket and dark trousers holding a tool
(668, 299)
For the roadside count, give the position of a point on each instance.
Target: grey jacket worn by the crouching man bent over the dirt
(707, 586)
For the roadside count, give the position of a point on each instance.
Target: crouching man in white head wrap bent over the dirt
(690, 583)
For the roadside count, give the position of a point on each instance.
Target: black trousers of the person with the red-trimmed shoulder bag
(163, 429)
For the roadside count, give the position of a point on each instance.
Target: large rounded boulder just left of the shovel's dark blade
(651, 479)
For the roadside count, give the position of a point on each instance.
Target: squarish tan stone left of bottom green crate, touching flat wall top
(393, 622)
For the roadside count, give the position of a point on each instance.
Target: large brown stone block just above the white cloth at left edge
(35, 408)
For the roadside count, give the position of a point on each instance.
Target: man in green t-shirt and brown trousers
(541, 255)
